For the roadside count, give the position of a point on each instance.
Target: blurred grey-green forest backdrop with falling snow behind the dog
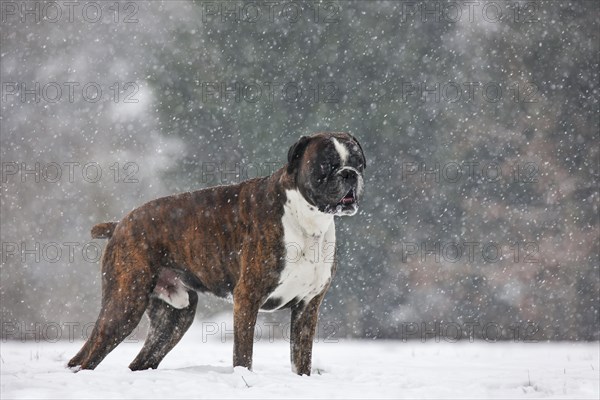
(479, 122)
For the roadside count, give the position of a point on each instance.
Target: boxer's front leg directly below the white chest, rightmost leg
(302, 333)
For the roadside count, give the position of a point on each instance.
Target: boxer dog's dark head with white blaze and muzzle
(327, 169)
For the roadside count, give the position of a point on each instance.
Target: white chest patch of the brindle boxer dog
(309, 238)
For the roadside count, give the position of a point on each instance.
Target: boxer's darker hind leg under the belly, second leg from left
(167, 326)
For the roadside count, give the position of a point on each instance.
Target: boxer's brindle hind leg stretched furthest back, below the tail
(126, 286)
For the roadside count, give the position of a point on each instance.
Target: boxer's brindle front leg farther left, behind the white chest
(245, 311)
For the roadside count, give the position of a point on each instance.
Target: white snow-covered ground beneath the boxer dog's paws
(199, 368)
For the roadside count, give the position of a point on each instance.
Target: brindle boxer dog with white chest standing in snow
(267, 241)
